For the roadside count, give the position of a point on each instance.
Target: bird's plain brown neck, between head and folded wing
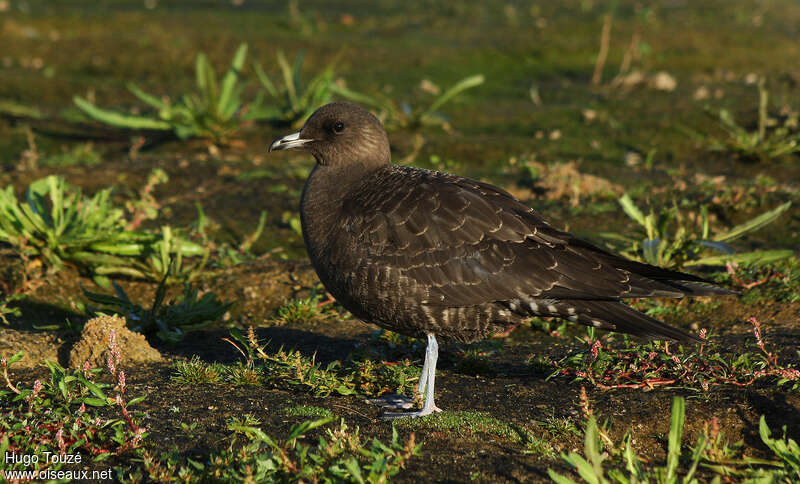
(321, 202)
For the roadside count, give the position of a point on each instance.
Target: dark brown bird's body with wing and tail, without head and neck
(421, 251)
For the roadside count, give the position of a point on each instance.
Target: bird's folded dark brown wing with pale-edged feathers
(469, 243)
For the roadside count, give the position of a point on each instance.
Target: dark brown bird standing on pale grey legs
(426, 253)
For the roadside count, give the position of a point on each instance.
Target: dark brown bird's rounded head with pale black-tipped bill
(340, 134)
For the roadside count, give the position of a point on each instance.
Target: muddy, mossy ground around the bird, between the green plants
(52, 52)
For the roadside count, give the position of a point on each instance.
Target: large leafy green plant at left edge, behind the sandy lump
(57, 224)
